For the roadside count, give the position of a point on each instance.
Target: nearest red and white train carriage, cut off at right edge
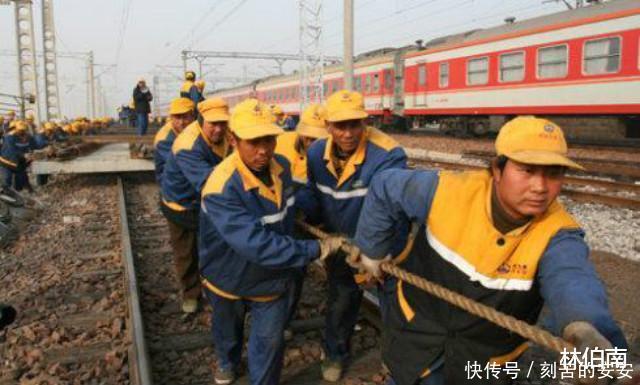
(579, 64)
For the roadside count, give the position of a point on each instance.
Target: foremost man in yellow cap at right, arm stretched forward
(497, 236)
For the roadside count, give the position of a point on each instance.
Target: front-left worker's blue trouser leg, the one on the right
(266, 341)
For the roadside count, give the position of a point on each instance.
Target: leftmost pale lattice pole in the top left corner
(25, 43)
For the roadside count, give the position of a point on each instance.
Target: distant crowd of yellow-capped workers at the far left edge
(20, 137)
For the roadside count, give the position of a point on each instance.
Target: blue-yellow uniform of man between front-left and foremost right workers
(336, 200)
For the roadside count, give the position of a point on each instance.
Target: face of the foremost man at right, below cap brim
(526, 190)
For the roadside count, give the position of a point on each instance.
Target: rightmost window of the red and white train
(601, 56)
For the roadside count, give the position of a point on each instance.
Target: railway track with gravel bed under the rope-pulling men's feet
(171, 348)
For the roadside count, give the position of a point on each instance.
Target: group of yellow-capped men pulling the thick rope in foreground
(233, 183)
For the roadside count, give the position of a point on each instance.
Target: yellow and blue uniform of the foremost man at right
(455, 243)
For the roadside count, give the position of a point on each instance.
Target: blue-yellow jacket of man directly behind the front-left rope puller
(187, 167)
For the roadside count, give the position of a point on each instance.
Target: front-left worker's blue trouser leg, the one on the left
(227, 328)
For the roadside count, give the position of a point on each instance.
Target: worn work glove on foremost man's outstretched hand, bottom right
(583, 335)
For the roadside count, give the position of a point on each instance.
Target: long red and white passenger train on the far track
(579, 67)
